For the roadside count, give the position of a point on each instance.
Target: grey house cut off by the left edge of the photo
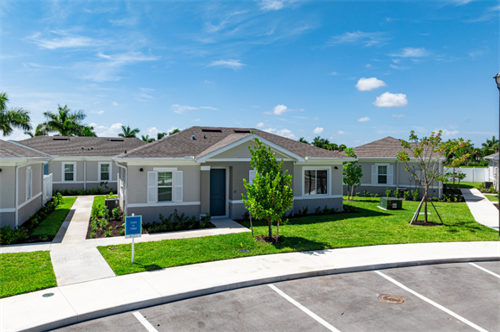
(21, 183)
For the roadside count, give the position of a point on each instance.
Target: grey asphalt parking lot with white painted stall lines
(445, 297)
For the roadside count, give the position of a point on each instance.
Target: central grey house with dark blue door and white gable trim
(201, 170)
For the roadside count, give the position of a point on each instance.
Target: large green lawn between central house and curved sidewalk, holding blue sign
(369, 226)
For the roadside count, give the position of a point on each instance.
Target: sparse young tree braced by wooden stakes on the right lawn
(427, 155)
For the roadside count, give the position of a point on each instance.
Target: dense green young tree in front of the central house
(270, 194)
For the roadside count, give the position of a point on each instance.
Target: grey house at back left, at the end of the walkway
(82, 162)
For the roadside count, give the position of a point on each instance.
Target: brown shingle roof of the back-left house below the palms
(92, 146)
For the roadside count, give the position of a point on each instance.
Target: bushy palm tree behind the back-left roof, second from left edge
(65, 122)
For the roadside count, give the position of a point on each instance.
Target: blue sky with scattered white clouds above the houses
(350, 71)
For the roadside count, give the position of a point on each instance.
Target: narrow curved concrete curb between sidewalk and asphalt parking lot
(250, 283)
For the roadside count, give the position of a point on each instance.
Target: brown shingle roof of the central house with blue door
(181, 144)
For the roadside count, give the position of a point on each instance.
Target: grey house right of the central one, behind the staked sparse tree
(381, 169)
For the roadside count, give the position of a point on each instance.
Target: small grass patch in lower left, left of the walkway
(25, 272)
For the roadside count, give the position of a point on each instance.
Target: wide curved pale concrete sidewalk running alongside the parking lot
(88, 300)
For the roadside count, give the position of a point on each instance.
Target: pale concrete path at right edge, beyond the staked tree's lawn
(481, 208)
